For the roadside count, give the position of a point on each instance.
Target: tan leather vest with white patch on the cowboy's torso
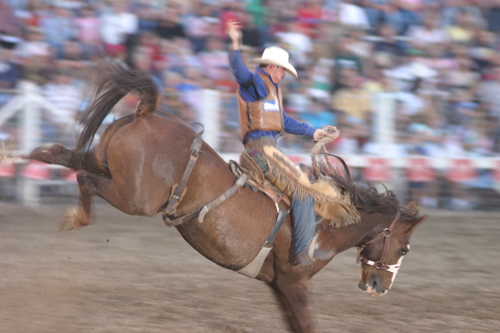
(265, 114)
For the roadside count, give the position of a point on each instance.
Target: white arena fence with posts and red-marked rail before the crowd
(397, 173)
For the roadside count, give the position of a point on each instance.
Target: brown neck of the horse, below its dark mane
(341, 239)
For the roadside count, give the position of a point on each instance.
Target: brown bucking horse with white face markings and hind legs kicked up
(141, 156)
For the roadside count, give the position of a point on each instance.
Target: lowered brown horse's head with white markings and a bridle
(381, 256)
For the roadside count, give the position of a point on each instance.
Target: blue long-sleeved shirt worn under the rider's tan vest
(258, 91)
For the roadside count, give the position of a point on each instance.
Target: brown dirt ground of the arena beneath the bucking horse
(132, 274)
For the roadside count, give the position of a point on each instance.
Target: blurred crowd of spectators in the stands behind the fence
(438, 59)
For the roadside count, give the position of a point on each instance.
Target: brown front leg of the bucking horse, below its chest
(294, 298)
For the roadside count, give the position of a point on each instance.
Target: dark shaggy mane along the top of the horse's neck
(365, 196)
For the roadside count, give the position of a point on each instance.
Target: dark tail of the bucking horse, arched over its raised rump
(112, 82)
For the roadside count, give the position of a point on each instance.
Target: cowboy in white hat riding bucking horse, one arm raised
(262, 120)
